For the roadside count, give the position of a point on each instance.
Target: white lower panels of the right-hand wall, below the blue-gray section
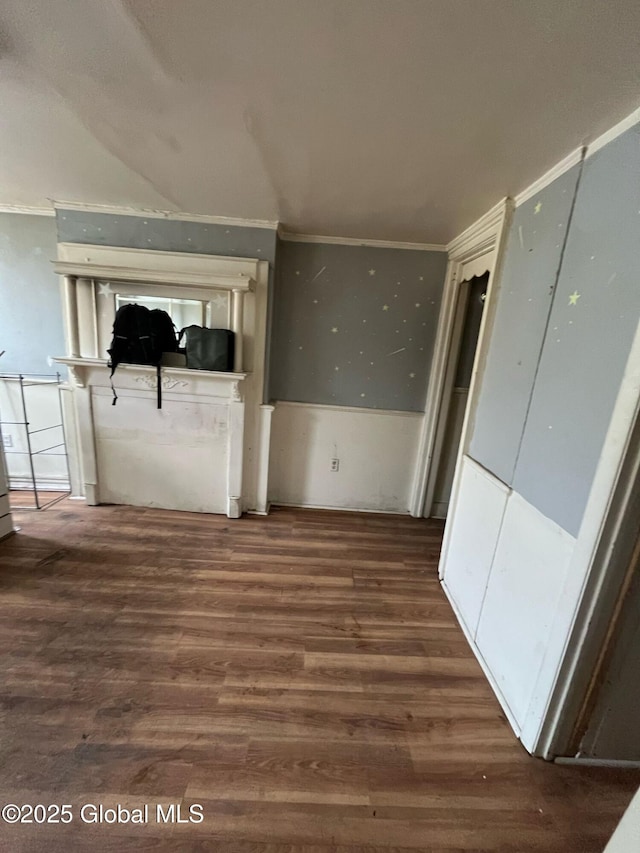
(504, 566)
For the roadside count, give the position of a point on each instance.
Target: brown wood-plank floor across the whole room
(300, 676)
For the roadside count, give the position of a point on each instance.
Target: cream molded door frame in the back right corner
(476, 251)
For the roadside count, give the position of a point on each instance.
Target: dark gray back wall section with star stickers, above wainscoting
(355, 325)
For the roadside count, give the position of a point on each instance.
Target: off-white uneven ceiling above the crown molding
(381, 119)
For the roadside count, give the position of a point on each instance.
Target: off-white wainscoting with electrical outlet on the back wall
(376, 452)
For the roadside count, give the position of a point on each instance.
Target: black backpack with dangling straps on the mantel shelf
(141, 336)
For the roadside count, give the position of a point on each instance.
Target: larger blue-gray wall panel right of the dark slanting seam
(593, 319)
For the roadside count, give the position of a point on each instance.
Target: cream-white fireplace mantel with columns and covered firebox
(204, 451)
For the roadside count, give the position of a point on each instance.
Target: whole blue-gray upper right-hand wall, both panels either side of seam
(541, 424)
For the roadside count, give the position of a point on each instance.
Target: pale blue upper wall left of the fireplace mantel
(31, 326)
